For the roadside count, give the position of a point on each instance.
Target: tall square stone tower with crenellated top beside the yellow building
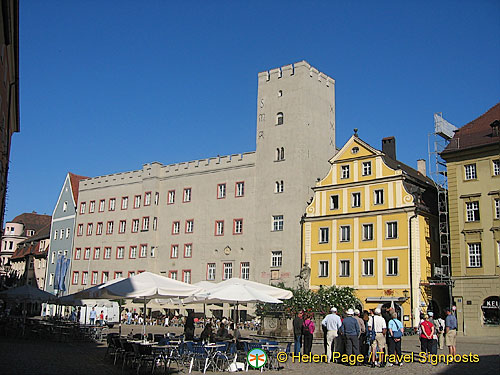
(295, 140)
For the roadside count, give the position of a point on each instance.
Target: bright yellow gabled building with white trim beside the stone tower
(372, 226)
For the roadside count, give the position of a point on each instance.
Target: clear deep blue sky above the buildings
(107, 86)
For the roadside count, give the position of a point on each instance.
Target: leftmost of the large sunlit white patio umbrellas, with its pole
(146, 286)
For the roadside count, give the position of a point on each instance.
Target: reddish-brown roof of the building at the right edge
(476, 133)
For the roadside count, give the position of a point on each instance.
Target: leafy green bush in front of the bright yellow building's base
(317, 302)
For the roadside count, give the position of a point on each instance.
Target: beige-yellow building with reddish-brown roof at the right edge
(473, 165)
